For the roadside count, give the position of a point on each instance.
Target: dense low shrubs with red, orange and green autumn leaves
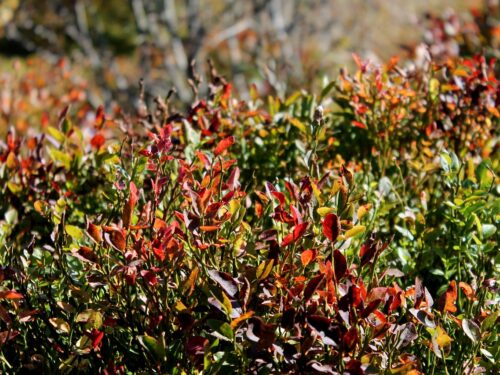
(349, 231)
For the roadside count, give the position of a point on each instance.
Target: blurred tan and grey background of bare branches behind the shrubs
(278, 45)
